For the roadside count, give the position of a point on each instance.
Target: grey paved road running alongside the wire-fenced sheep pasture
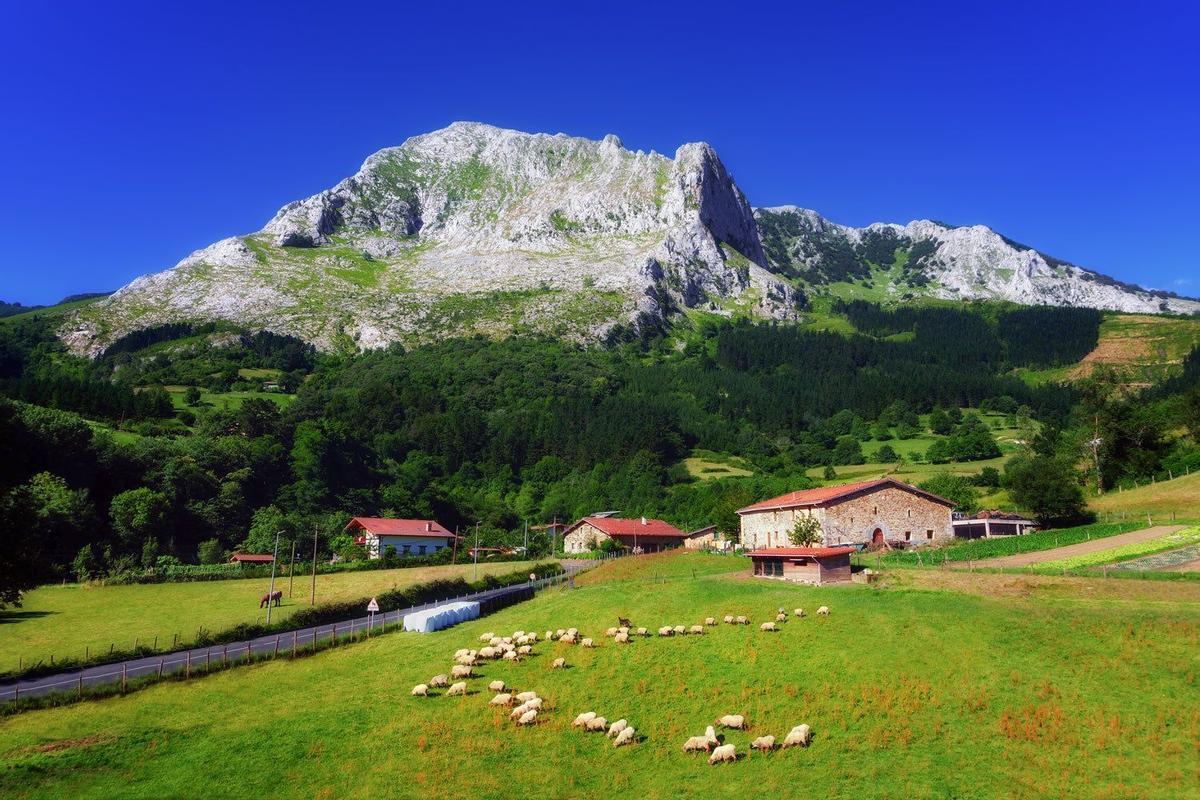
(200, 659)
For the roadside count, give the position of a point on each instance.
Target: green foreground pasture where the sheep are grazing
(910, 694)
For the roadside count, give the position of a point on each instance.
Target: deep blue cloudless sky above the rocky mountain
(135, 134)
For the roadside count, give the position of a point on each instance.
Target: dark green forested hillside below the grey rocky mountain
(185, 442)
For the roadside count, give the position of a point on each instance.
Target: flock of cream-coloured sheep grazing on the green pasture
(527, 706)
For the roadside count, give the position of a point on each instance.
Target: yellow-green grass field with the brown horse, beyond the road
(75, 619)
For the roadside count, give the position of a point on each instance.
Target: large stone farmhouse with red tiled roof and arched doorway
(877, 514)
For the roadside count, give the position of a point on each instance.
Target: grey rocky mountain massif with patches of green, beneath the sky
(481, 230)
